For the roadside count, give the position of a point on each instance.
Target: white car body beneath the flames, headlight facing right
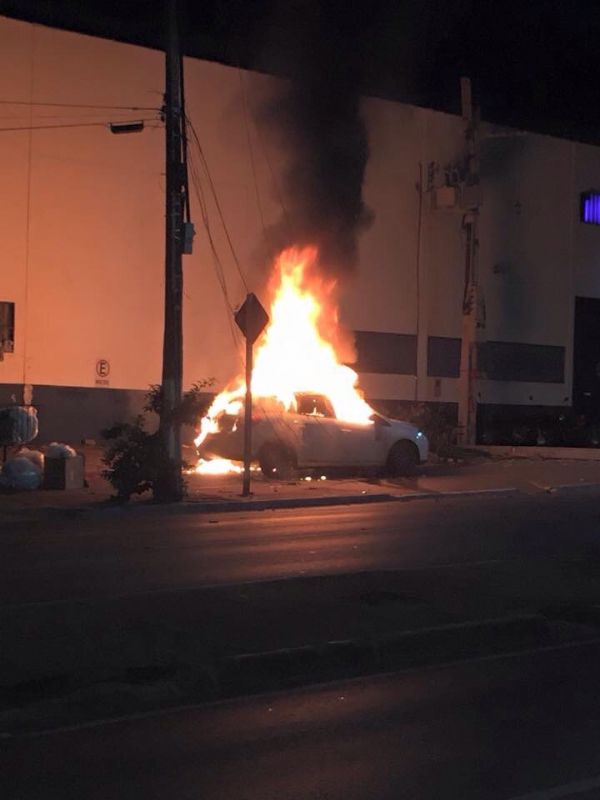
(312, 438)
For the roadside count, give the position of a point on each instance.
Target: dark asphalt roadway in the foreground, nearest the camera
(523, 726)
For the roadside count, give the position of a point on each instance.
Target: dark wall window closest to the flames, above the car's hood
(386, 353)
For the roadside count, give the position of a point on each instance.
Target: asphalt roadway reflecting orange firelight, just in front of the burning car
(125, 551)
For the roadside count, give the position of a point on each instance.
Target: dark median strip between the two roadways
(106, 658)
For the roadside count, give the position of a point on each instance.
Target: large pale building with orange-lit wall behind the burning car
(81, 227)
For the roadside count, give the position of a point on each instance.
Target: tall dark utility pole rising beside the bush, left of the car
(169, 484)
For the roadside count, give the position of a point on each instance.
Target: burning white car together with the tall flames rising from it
(308, 412)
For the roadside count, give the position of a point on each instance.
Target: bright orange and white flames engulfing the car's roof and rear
(302, 347)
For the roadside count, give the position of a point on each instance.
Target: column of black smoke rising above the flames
(317, 120)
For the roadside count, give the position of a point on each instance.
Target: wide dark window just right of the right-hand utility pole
(515, 361)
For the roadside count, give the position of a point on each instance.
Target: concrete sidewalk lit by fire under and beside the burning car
(223, 493)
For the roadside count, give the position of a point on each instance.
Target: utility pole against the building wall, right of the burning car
(467, 402)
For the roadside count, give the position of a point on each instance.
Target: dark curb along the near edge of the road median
(59, 700)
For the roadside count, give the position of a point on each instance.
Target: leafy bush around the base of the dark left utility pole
(134, 457)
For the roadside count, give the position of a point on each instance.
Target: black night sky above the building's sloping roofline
(535, 64)
